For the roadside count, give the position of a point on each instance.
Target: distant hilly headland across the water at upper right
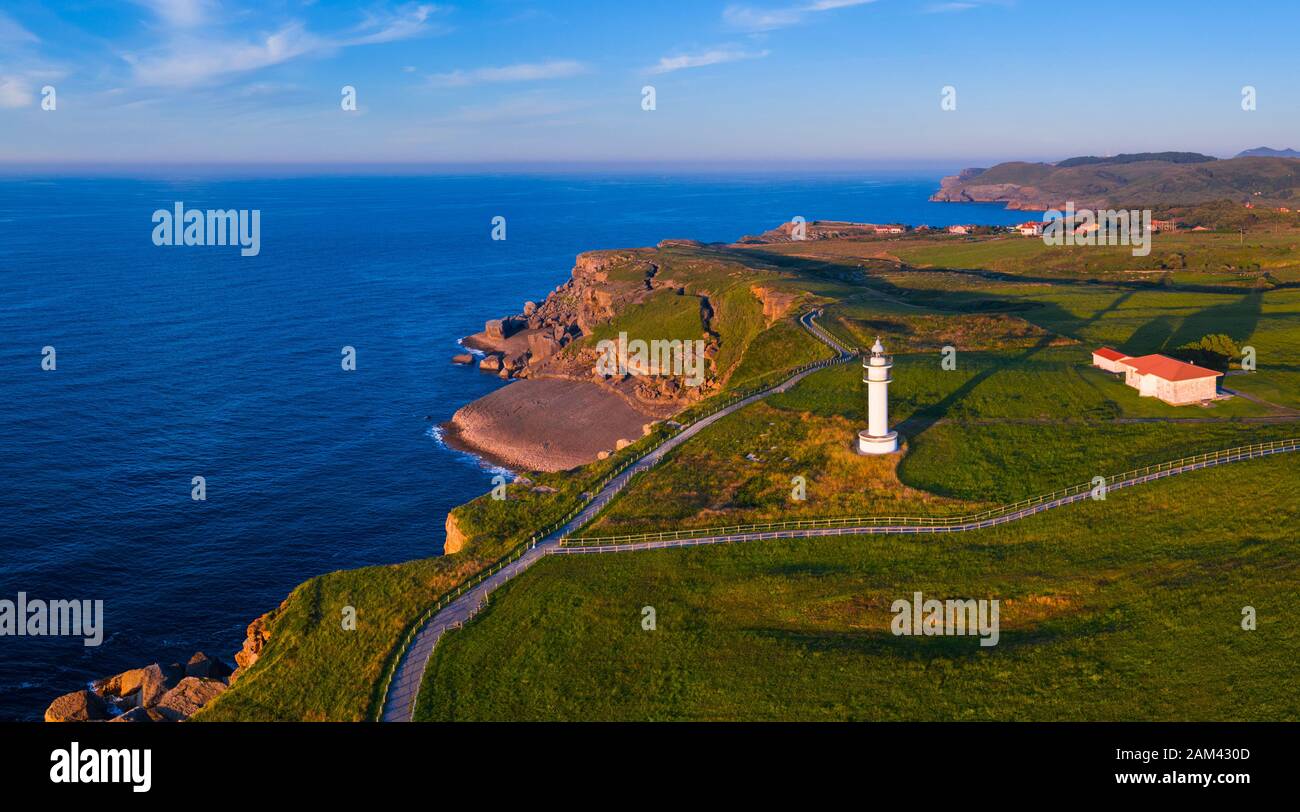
(1143, 180)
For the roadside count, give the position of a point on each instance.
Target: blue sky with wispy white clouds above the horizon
(775, 82)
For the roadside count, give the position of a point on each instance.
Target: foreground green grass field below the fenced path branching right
(1123, 610)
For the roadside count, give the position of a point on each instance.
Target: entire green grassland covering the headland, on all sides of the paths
(1119, 610)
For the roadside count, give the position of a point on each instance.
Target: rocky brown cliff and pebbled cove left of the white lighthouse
(565, 410)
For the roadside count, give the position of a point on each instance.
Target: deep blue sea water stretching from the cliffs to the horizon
(183, 362)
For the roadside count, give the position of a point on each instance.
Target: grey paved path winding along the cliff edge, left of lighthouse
(405, 688)
